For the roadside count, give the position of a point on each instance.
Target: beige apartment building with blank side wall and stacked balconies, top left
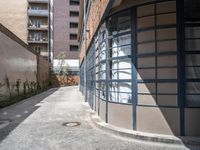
(30, 21)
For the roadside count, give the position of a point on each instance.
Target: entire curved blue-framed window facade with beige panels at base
(135, 63)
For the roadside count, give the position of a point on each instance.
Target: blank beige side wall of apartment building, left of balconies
(13, 15)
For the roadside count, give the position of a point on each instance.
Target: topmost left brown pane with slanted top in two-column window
(145, 10)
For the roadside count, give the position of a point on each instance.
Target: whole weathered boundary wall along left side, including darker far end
(19, 66)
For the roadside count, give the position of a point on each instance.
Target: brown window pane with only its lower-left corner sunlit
(146, 74)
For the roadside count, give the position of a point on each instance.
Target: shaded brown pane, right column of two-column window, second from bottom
(167, 88)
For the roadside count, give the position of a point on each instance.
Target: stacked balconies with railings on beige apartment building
(38, 26)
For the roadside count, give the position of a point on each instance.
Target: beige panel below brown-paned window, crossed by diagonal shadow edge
(158, 120)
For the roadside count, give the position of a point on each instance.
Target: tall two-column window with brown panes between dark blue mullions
(156, 54)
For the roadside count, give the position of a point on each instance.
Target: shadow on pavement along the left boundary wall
(18, 112)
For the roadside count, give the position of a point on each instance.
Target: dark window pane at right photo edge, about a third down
(192, 45)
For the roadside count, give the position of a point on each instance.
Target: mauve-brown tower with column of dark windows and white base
(66, 17)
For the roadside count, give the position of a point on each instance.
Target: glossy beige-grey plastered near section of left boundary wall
(16, 63)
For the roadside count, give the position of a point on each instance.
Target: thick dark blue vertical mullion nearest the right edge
(181, 63)
